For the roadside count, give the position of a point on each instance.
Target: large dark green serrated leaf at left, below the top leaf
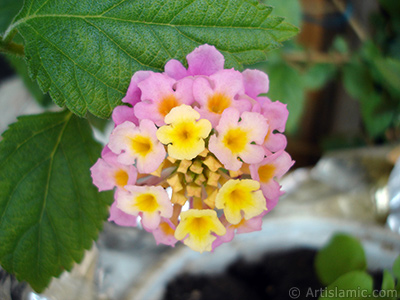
(50, 212)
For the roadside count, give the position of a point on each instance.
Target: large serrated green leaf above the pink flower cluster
(85, 52)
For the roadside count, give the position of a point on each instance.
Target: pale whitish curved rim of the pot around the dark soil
(279, 234)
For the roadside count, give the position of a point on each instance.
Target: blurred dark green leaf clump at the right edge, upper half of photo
(371, 79)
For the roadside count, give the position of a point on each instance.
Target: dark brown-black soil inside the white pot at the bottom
(272, 277)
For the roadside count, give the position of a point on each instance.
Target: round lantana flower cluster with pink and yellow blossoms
(195, 152)
